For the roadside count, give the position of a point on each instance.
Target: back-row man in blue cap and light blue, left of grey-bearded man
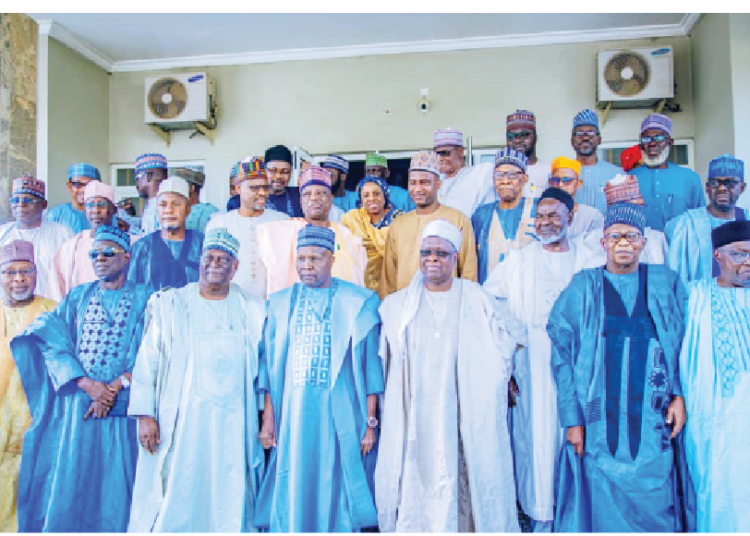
(595, 173)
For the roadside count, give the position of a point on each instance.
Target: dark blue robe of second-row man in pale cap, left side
(152, 262)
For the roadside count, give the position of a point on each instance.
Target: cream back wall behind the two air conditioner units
(339, 105)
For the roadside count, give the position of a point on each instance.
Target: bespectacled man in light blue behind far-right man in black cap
(689, 234)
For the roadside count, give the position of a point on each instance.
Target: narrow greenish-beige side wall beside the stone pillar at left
(78, 117)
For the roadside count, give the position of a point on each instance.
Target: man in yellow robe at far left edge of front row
(18, 308)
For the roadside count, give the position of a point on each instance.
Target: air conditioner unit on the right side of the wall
(634, 78)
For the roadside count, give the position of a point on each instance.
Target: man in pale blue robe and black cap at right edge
(714, 363)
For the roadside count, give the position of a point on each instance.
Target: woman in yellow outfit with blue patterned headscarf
(370, 221)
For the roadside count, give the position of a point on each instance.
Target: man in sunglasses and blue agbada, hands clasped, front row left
(79, 455)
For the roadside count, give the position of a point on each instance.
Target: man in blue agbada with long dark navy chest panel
(616, 333)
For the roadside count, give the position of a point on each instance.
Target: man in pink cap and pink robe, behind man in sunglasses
(71, 265)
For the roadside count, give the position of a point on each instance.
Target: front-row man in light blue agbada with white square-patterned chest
(321, 375)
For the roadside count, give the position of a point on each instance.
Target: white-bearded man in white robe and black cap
(529, 280)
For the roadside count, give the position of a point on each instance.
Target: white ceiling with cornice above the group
(143, 41)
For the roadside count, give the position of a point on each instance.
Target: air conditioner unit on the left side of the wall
(177, 101)
